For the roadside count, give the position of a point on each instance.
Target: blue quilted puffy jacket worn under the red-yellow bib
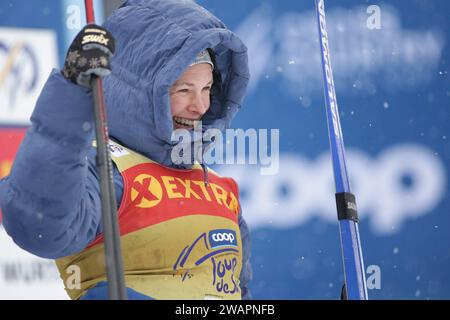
(51, 199)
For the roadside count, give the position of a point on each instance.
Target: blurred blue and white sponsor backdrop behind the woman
(391, 69)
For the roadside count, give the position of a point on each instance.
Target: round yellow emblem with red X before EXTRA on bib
(146, 191)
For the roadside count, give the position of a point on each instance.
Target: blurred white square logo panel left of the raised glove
(27, 57)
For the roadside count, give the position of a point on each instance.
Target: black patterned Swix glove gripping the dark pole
(89, 54)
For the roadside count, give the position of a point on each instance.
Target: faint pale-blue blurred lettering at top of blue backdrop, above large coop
(283, 48)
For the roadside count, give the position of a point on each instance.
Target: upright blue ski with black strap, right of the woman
(355, 281)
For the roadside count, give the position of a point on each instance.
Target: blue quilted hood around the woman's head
(155, 42)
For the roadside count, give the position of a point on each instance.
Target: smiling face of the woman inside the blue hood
(189, 95)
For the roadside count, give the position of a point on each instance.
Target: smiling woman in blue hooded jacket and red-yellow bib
(164, 207)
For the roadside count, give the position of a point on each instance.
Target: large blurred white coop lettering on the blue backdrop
(402, 183)
